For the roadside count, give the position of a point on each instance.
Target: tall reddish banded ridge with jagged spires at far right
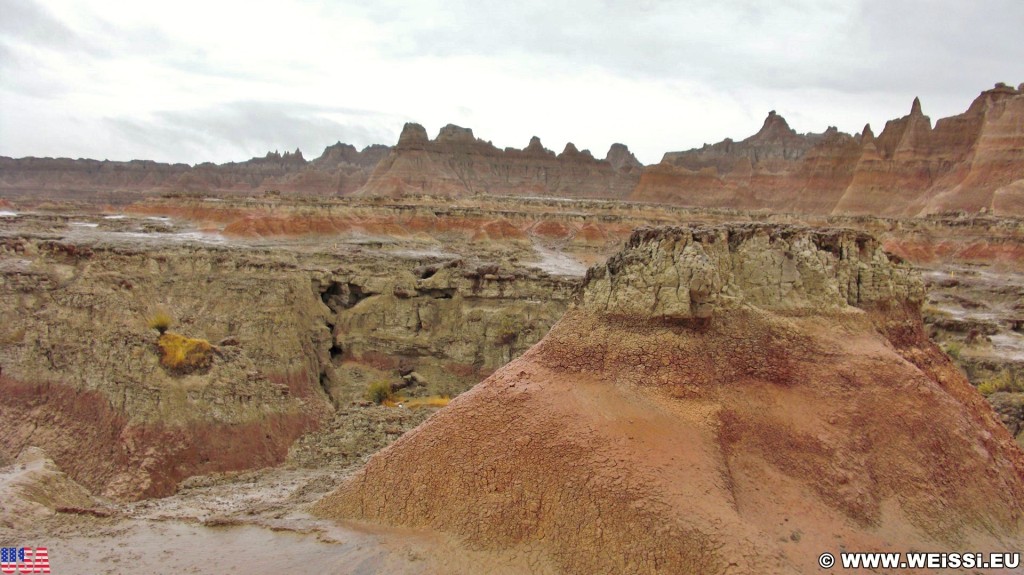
(970, 162)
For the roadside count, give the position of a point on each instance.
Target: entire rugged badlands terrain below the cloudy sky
(729, 363)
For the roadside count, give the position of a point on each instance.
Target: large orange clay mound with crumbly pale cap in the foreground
(732, 400)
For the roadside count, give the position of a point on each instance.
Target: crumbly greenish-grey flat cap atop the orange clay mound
(681, 274)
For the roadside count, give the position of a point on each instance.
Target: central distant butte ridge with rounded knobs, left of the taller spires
(456, 163)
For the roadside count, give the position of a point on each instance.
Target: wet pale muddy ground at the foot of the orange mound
(241, 523)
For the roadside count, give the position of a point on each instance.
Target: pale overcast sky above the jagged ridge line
(224, 80)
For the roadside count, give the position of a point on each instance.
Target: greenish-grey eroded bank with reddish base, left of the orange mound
(294, 335)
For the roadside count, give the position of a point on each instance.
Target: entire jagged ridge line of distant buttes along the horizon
(970, 162)
